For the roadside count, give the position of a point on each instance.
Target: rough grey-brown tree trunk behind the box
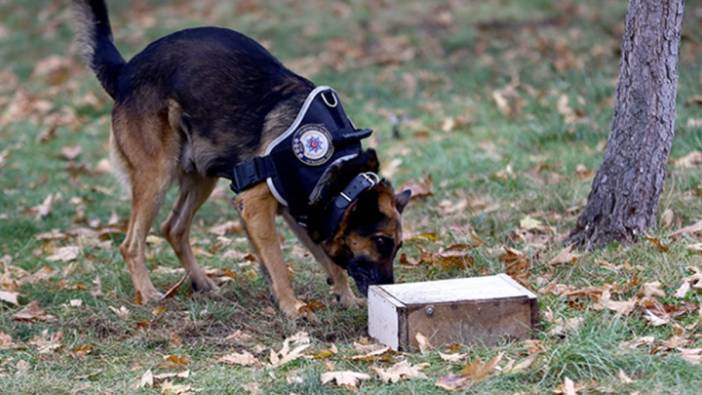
(624, 197)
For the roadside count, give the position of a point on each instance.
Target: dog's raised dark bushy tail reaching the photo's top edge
(94, 37)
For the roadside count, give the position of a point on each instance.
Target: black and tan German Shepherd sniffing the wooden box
(190, 107)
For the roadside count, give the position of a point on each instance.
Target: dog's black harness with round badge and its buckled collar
(294, 163)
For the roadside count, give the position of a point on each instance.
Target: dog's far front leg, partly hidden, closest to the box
(338, 278)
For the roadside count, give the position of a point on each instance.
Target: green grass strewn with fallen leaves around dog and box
(417, 62)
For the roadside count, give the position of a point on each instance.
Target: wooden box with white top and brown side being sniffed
(465, 310)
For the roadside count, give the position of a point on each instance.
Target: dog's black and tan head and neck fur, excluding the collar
(370, 232)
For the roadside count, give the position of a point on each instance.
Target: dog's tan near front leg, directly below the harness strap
(258, 208)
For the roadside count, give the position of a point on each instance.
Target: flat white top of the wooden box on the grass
(457, 290)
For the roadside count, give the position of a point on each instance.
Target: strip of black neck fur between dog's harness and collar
(338, 175)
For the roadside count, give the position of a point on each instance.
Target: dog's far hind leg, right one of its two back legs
(194, 191)
